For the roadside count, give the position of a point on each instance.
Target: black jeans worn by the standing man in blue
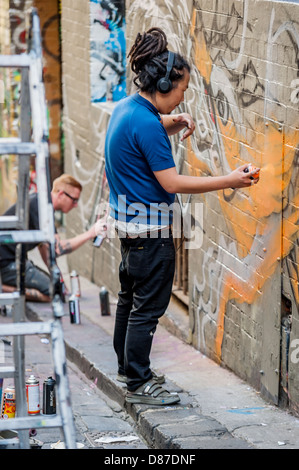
(146, 276)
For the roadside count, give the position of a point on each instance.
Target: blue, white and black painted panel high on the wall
(107, 50)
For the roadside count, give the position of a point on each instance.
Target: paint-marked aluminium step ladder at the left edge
(33, 140)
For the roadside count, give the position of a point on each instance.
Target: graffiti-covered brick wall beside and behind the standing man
(243, 95)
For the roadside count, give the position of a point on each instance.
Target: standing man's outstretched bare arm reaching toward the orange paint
(172, 182)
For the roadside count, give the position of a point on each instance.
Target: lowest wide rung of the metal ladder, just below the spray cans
(30, 422)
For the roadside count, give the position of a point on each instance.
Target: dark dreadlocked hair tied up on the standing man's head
(149, 57)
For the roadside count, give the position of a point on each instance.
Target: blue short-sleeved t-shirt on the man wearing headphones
(136, 145)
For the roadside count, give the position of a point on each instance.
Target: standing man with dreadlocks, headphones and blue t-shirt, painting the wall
(143, 181)
